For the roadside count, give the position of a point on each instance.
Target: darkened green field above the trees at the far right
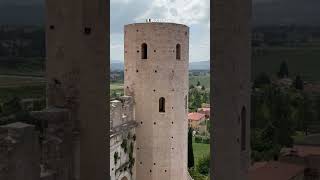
(304, 61)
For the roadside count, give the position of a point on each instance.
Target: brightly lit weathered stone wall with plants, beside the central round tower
(122, 139)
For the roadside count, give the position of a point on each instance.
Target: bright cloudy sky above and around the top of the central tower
(194, 13)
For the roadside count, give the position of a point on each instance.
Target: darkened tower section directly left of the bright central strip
(77, 55)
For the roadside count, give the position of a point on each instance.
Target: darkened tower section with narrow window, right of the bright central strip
(232, 86)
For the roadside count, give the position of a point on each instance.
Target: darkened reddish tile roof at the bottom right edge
(275, 170)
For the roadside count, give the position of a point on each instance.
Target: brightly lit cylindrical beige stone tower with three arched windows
(156, 75)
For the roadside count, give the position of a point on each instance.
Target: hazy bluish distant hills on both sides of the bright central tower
(200, 65)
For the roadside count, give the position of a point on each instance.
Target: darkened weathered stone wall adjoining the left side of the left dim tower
(56, 143)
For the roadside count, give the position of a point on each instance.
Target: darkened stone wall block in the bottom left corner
(19, 152)
